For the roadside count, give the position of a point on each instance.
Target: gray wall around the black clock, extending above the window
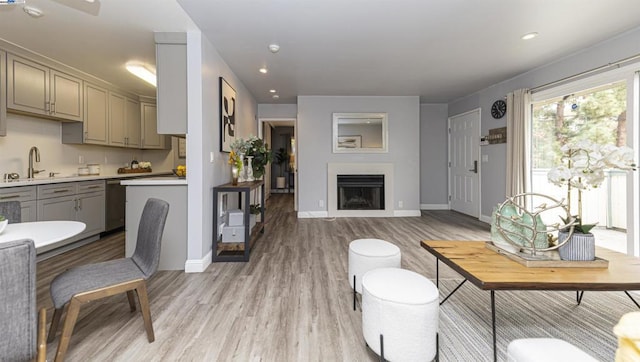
(494, 171)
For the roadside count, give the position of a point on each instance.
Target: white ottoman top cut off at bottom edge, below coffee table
(545, 349)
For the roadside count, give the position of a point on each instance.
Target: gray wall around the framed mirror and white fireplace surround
(315, 126)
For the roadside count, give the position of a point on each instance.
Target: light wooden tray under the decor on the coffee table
(548, 261)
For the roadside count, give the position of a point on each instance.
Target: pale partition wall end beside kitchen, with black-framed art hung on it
(204, 67)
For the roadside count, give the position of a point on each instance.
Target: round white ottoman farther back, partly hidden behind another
(369, 254)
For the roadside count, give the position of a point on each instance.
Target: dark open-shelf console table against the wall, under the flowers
(237, 251)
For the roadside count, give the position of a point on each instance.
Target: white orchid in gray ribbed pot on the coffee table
(583, 168)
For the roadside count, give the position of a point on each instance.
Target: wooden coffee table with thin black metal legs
(489, 270)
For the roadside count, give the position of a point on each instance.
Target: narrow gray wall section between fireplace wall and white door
(433, 156)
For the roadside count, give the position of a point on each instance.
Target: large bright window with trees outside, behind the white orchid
(598, 114)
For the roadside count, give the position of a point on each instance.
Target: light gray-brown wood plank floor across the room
(291, 302)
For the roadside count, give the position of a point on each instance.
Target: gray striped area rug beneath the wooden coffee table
(465, 320)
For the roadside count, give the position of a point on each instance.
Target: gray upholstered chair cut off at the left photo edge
(21, 339)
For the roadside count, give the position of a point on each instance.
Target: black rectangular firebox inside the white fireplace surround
(360, 192)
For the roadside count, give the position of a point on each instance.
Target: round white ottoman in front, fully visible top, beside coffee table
(400, 311)
